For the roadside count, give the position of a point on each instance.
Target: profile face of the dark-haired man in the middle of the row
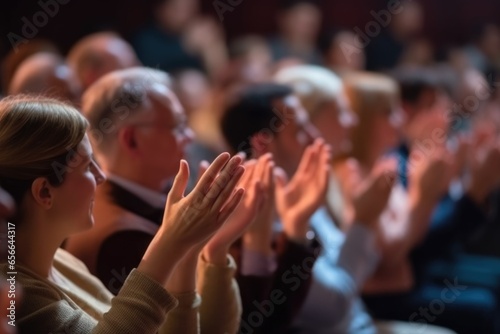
(294, 135)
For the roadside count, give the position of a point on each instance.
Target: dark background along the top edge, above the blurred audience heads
(447, 22)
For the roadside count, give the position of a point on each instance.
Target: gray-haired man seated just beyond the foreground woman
(138, 129)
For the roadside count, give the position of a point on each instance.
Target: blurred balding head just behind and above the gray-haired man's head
(97, 54)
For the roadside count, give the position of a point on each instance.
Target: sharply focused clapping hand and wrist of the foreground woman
(189, 221)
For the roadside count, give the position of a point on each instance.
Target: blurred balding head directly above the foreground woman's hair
(46, 74)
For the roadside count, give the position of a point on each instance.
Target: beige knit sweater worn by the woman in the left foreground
(75, 301)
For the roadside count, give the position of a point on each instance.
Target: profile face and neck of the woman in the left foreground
(74, 199)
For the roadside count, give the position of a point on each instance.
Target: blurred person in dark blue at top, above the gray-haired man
(180, 38)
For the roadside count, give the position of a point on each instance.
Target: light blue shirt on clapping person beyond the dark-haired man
(333, 304)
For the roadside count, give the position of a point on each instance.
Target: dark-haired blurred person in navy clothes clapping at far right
(427, 165)
